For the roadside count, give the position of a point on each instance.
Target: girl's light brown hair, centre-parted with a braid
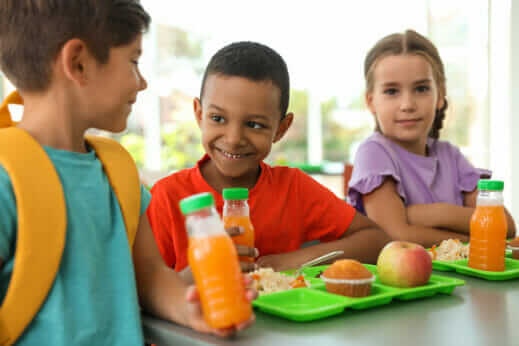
(410, 42)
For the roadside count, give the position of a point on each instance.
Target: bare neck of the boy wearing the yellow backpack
(49, 120)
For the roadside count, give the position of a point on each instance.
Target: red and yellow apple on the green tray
(404, 264)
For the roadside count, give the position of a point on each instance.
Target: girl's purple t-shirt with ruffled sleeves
(441, 176)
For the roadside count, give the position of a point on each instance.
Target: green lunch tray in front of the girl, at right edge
(461, 266)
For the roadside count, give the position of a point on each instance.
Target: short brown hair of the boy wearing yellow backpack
(32, 32)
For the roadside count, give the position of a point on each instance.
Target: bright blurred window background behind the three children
(324, 44)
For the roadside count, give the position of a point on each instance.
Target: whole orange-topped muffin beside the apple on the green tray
(348, 278)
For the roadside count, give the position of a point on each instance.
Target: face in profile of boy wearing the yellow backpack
(114, 87)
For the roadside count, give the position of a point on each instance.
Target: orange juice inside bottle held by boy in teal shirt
(219, 281)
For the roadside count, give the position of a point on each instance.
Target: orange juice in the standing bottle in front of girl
(488, 228)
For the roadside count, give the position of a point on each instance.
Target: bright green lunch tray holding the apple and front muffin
(314, 302)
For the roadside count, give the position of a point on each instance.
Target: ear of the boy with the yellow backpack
(74, 59)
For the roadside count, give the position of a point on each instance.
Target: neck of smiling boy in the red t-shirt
(218, 181)
